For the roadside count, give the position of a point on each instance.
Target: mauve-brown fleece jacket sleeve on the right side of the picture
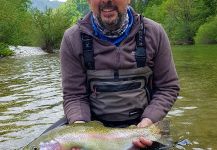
(165, 80)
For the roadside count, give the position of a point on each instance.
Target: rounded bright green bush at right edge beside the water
(207, 33)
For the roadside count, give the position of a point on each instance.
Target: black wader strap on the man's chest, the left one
(87, 44)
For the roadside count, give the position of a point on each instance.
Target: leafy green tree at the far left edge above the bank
(15, 21)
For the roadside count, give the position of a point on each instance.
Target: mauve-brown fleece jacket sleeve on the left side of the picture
(75, 98)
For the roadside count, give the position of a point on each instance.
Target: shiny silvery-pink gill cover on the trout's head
(51, 145)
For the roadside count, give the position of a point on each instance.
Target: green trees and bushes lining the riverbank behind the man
(186, 21)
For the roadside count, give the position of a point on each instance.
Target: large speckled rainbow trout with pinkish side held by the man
(95, 136)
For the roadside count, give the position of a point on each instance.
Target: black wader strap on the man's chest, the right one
(140, 55)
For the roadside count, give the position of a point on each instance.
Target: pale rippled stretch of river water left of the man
(30, 98)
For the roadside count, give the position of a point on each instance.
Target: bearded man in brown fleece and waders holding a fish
(117, 68)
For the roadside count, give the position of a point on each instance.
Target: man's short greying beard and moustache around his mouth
(115, 24)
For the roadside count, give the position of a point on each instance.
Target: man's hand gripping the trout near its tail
(142, 142)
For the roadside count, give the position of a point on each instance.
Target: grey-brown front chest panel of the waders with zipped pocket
(119, 98)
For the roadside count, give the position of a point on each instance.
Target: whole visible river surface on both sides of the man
(31, 98)
